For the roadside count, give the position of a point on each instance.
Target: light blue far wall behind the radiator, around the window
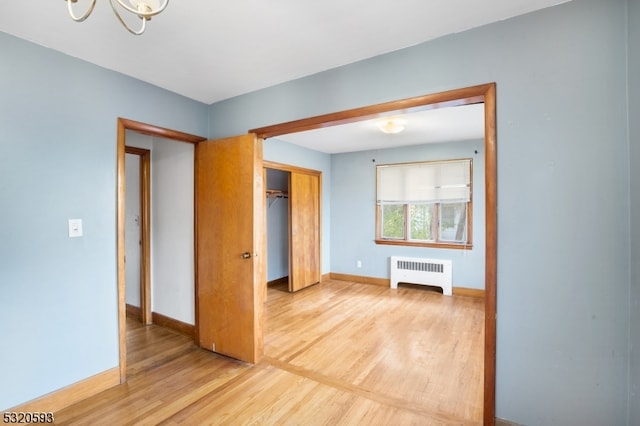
(353, 219)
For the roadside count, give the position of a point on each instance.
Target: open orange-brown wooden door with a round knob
(229, 191)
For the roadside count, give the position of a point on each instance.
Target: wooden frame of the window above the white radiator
(405, 241)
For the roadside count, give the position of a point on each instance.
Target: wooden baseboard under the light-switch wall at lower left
(73, 393)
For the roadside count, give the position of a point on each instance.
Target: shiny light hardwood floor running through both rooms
(337, 353)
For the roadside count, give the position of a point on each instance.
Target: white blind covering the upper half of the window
(421, 183)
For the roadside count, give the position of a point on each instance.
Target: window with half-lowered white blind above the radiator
(424, 204)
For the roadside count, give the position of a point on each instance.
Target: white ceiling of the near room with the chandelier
(210, 50)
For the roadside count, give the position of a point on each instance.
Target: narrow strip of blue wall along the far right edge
(634, 135)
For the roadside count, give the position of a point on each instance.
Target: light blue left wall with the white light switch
(58, 305)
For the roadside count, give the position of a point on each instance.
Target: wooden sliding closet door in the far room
(304, 215)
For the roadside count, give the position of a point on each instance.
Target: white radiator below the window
(411, 270)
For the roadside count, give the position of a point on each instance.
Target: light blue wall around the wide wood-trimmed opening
(563, 190)
